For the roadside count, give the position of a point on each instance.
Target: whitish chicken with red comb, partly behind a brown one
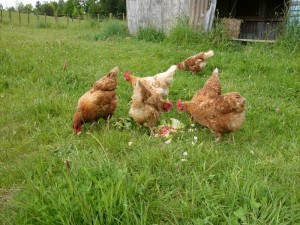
(158, 83)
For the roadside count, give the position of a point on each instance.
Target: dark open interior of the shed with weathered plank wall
(261, 19)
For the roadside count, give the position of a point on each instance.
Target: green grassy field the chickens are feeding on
(254, 180)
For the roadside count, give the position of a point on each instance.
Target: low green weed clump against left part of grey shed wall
(150, 34)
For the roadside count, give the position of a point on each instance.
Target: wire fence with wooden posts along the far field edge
(31, 19)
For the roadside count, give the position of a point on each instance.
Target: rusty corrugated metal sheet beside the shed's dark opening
(202, 14)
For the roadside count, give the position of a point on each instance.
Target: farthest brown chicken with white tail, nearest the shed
(195, 63)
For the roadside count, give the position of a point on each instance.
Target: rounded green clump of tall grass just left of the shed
(112, 28)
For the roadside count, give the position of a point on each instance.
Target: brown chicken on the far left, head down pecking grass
(99, 102)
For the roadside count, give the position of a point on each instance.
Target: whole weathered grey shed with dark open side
(261, 19)
